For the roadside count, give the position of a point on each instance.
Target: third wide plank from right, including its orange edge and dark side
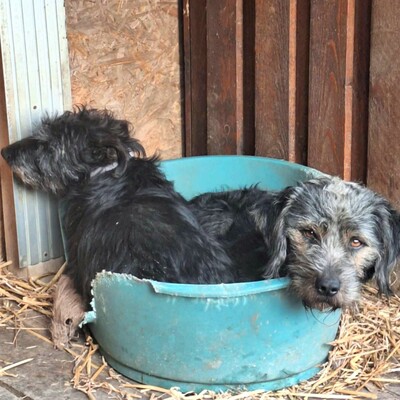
(282, 47)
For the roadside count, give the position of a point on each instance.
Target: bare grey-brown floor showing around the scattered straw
(48, 376)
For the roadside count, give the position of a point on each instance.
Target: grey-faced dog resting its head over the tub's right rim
(329, 236)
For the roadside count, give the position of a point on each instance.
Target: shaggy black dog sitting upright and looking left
(120, 212)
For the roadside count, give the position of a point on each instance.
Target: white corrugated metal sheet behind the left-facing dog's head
(36, 76)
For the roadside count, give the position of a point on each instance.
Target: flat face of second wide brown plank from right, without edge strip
(327, 85)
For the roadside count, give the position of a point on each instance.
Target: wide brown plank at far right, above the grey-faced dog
(384, 104)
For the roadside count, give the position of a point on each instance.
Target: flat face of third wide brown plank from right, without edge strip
(271, 77)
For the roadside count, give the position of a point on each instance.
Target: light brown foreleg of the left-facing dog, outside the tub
(68, 312)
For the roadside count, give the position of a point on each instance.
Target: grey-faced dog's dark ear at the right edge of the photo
(389, 229)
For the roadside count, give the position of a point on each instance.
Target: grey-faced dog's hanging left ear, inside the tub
(275, 233)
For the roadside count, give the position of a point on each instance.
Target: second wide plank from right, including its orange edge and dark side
(338, 113)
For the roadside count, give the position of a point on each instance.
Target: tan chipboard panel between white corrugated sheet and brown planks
(124, 56)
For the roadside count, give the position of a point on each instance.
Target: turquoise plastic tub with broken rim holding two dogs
(252, 335)
